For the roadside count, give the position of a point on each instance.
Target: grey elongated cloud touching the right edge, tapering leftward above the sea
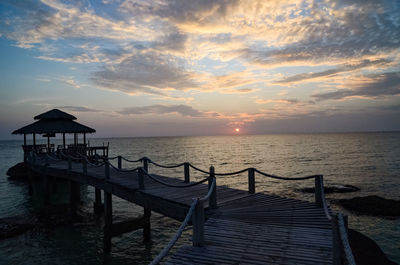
(385, 84)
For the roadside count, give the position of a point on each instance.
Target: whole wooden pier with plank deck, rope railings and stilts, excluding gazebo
(230, 226)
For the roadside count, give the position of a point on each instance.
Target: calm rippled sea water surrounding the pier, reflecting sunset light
(370, 161)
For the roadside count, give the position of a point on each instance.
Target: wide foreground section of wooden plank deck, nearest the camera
(262, 229)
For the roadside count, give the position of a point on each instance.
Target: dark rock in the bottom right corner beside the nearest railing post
(366, 251)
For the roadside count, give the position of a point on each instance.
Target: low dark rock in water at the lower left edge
(13, 226)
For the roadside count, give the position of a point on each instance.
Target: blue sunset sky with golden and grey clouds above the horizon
(166, 68)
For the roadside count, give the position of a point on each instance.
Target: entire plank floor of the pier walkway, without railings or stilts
(244, 229)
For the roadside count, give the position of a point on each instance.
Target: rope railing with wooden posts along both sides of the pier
(341, 249)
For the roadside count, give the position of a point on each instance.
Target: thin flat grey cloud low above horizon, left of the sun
(183, 110)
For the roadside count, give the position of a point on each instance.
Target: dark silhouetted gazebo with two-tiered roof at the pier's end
(50, 123)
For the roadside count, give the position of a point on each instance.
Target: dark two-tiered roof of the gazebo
(54, 121)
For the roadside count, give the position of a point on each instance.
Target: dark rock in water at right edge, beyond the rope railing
(372, 205)
